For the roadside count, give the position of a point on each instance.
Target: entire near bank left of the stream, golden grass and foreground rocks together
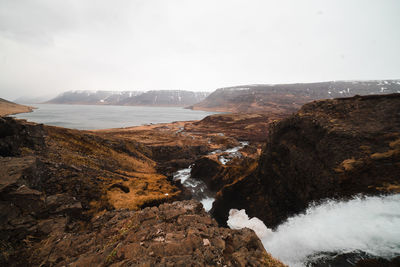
(71, 197)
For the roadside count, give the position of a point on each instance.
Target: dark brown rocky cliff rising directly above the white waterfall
(329, 149)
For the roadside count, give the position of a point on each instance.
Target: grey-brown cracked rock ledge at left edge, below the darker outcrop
(26, 214)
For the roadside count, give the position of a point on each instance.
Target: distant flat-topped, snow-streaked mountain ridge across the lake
(130, 98)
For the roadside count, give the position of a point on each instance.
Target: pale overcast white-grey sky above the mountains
(51, 46)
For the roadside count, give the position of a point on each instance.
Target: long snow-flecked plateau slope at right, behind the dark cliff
(288, 98)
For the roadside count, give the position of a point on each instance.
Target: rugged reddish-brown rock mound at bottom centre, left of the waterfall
(177, 234)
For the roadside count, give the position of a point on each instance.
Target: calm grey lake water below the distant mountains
(89, 117)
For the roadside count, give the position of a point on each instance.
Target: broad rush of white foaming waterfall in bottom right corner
(368, 224)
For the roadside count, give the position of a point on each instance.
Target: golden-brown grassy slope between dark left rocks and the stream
(135, 174)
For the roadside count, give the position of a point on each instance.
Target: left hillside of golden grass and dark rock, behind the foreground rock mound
(53, 176)
